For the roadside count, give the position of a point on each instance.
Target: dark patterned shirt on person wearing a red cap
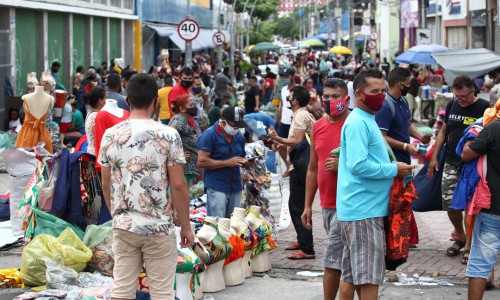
(189, 142)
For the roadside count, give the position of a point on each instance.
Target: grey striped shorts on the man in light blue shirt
(363, 258)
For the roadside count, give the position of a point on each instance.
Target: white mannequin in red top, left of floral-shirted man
(107, 117)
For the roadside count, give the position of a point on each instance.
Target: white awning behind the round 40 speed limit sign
(203, 41)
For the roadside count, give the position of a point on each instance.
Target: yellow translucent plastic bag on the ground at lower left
(74, 253)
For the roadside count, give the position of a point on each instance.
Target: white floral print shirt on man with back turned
(138, 153)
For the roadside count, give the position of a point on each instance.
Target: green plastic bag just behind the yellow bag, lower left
(49, 224)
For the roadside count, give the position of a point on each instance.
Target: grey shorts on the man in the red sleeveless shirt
(334, 246)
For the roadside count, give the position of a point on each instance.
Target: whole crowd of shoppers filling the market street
(342, 126)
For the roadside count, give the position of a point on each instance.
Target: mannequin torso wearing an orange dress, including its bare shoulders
(36, 107)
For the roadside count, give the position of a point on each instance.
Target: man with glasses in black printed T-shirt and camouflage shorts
(462, 112)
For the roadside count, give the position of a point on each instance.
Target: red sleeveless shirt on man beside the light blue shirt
(326, 137)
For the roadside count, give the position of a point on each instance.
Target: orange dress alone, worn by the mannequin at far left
(34, 131)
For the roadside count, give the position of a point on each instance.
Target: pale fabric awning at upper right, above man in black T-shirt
(470, 62)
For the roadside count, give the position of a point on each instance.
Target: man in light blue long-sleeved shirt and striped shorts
(364, 185)
